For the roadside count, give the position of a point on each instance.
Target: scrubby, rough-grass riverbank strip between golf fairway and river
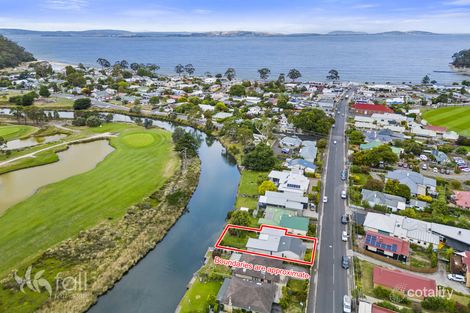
(104, 253)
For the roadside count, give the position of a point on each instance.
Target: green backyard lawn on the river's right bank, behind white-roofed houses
(248, 189)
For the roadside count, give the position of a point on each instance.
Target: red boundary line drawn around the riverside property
(228, 226)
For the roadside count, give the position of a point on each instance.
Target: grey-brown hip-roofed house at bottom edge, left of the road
(237, 293)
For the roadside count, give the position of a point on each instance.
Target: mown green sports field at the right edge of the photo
(454, 118)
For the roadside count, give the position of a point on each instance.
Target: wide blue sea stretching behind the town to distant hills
(361, 58)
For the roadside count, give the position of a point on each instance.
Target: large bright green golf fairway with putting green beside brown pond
(138, 166)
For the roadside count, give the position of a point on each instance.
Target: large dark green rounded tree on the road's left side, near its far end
(313, 120)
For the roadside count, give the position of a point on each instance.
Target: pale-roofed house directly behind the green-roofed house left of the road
(293, 202)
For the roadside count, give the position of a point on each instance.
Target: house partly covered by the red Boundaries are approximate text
(258, 276)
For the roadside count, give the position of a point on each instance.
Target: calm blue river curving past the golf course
(158, 282)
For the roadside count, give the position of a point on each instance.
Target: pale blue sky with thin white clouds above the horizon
(274, 16)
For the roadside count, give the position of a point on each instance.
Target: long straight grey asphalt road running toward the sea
(330, 283)
